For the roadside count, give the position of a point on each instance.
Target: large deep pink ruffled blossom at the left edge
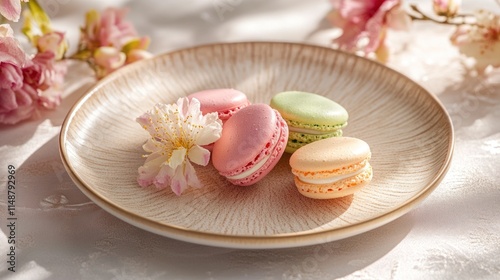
(26, 85)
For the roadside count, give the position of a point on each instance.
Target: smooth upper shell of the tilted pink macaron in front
(243, 139)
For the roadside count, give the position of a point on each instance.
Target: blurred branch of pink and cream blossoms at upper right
(365, 23)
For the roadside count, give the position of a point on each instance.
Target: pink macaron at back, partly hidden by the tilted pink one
(225, 101)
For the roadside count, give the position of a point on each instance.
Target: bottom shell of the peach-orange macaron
(340, 188)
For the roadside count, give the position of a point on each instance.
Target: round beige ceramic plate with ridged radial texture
(409, 132)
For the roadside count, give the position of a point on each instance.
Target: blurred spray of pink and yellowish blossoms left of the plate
(33, 82)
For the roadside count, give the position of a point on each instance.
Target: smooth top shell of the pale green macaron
(309, 108)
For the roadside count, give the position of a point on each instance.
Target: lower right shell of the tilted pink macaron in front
(276, 153)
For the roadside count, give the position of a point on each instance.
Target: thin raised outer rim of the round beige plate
(285, 240)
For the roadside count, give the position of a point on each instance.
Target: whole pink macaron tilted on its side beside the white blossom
(252, 142)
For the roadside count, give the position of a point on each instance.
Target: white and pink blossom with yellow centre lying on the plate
(178, 132)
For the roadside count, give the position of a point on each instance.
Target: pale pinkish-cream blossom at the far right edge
(481, 40)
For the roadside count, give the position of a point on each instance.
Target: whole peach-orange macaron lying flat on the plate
(331, 168)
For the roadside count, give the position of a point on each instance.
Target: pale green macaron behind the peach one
(310, 117)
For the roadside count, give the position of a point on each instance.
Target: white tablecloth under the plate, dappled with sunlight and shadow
(453, 234)
